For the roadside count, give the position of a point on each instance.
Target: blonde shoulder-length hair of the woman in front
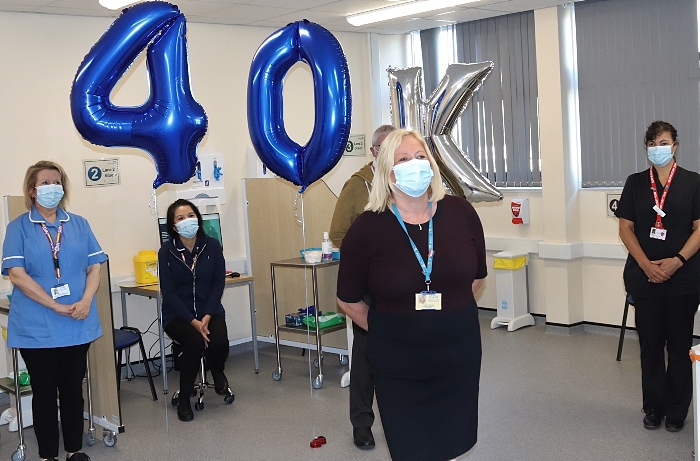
(382, 195)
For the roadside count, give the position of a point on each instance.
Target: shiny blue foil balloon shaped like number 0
(311, 43)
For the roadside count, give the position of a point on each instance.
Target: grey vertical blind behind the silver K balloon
(500, 127)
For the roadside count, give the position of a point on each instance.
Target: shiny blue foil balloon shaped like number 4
(170, 124)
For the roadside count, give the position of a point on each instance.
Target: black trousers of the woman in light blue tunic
(57, 369)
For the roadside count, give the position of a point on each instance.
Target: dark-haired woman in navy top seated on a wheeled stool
(191, 274)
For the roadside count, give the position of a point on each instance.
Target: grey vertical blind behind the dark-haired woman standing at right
(637, 63)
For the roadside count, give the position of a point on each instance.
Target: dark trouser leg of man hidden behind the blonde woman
(361, 381)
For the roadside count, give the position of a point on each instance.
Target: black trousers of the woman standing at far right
(666, 323)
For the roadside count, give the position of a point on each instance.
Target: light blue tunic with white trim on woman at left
(30, 324)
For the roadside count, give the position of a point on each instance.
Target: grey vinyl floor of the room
(544, 396)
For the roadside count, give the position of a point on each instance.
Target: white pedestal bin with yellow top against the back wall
(511, 290)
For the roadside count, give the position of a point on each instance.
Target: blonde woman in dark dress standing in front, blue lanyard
(419, 255)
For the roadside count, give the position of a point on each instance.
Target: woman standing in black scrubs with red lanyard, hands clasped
(659, 215)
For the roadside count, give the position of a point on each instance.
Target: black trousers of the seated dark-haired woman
(193, 347)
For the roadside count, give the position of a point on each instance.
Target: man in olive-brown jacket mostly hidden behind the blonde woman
(351, 203)
